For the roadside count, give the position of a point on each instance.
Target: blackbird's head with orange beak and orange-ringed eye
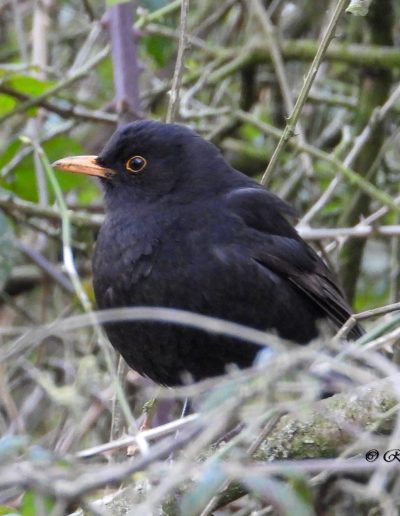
(148, 159)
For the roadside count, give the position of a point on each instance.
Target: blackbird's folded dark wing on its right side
(275, 244)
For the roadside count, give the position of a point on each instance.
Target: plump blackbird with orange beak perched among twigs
(184, 230)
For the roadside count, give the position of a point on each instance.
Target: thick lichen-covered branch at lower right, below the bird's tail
(325, 429)
